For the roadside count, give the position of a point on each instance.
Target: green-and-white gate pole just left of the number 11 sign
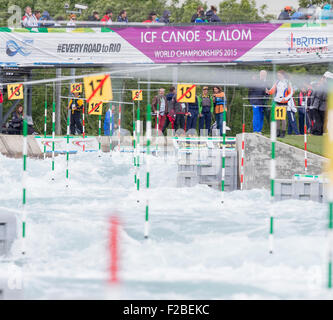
(272, 176)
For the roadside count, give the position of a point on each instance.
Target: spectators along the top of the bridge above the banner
(37, 19)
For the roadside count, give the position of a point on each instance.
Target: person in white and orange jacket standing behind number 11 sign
(283, 92)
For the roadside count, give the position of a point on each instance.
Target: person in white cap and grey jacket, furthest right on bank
(320, 104)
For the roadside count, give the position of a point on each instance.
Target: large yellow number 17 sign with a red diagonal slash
(98, 88)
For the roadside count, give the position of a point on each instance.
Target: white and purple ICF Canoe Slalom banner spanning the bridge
(258, 42)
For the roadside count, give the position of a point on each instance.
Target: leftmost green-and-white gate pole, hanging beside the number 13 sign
(24, 173)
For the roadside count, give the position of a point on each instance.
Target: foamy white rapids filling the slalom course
(197, 249)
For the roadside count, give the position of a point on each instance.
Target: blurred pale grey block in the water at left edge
(7, 231)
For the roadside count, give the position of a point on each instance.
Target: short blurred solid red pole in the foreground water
(114, 248)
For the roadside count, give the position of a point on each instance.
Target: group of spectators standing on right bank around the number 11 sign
(309, 101)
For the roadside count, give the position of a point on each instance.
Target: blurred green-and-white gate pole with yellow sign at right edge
(329, 155)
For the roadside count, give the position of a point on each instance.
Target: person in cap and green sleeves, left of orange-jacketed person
(206, 108)
